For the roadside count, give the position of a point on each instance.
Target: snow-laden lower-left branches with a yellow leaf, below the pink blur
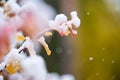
(18, 65)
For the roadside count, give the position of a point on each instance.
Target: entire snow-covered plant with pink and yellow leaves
(24, 17)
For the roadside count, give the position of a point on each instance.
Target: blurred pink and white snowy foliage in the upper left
(21, 16)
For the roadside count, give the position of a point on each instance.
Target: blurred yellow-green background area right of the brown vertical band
(98, 38)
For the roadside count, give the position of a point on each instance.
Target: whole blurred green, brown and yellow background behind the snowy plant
(94, 54)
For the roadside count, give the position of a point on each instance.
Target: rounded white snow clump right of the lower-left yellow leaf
(35, 68)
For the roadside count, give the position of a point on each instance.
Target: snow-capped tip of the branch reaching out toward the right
(63, 26)
